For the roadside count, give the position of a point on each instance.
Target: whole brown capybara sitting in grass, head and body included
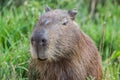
(61, 51)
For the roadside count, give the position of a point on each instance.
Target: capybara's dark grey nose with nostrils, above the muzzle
(39, 39)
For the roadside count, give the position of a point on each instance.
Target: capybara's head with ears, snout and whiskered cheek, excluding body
(55, 35)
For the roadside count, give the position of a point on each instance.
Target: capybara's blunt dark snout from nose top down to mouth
(39, 45)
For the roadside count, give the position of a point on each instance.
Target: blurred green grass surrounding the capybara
(18, 17)
